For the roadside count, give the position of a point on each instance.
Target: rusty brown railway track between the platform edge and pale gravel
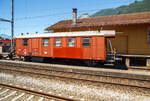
(107, 79)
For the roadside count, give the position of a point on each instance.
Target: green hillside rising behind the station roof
(138, 6)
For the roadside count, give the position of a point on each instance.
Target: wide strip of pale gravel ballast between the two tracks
(87, 91)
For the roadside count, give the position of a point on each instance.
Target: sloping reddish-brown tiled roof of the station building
(123, 19)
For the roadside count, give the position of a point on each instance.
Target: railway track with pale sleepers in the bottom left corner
(22, 92)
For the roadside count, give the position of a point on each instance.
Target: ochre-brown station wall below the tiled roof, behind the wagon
(131, 39)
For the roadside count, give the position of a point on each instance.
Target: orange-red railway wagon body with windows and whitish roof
(88, 45)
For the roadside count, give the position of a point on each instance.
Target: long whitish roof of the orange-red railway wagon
(69, 34)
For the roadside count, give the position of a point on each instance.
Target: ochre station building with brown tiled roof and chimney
(132, 41)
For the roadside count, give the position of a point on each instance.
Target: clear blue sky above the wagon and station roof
(35, 15)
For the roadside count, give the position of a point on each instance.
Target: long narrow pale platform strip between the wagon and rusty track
(133, 74)
